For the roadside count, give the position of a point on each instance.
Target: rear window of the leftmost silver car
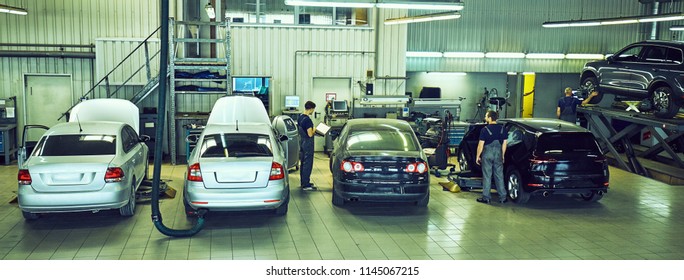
(76, 145)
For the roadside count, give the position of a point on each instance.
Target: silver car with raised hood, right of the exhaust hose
(239, 162)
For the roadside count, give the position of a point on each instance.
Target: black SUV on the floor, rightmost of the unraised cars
(543, 156)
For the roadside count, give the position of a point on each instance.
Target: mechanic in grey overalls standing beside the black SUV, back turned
(490, 154)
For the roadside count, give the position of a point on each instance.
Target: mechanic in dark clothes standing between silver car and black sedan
(306, 145)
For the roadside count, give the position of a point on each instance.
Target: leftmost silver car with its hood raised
(94, 162)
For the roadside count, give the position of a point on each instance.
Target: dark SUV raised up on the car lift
(645, 70)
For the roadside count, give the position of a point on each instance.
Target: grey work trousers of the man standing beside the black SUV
(492, 164)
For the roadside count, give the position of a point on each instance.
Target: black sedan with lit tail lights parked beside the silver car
(379, 160)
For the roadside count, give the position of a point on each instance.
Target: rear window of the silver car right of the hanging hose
(236, 145)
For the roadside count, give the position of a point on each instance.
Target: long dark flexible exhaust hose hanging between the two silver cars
(161, 113)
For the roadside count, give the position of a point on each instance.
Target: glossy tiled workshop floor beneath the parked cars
(638, 219)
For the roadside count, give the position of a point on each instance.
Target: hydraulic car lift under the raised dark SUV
(599, 120)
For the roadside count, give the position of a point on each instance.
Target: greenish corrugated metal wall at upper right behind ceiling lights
(516, 26)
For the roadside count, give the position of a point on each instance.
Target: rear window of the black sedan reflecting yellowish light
(386, 140)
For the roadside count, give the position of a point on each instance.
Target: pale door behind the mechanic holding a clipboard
(341, 86)
